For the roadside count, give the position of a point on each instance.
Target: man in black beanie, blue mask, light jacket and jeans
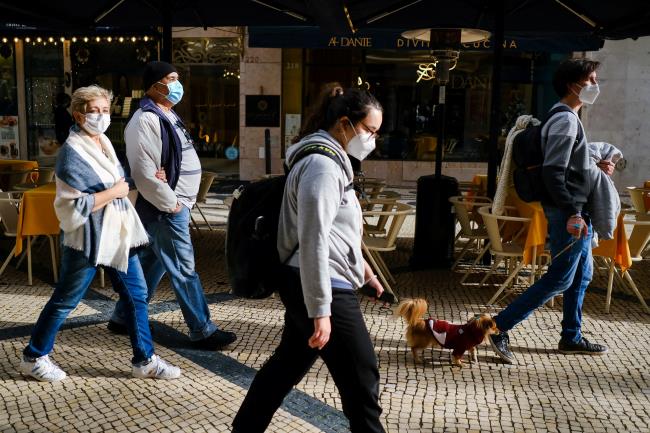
(156, 139)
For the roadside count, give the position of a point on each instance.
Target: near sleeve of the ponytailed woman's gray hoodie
(319, 197)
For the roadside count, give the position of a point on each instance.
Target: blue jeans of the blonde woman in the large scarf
(76, 275)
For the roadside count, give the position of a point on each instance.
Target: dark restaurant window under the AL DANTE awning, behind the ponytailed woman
(411, 129)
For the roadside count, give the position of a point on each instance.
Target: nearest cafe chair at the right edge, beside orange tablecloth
(637, 242)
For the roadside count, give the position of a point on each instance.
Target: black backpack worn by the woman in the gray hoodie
(254, 267)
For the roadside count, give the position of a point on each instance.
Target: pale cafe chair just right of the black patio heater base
(471, 228)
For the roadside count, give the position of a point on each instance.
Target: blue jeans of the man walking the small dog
(570, 273)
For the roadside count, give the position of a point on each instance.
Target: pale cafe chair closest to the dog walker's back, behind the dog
(509, 249)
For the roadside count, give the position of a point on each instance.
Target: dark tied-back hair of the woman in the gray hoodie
(334, 103)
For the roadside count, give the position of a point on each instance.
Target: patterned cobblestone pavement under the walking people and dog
(543, 391)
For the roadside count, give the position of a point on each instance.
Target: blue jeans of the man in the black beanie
(170, 250)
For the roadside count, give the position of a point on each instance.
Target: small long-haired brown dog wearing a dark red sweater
(422, 333)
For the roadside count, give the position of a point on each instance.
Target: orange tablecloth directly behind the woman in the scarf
(36, 215)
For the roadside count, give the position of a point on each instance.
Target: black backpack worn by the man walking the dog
(528, 158)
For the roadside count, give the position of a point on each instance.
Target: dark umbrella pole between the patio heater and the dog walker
(495, 117)
